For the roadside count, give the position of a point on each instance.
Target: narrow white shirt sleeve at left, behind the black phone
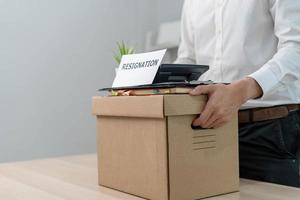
(186, 51)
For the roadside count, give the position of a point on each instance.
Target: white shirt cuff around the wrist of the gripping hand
(266, 79)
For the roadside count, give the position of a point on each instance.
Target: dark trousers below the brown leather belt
(270, 150)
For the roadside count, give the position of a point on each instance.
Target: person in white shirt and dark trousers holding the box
(255, 46)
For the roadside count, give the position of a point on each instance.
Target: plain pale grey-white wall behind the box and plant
(54, 55)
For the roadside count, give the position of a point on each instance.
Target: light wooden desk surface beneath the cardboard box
(75, 178)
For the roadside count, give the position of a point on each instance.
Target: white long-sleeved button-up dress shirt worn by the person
(239, 38)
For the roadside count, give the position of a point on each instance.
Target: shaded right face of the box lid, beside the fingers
(183, 104)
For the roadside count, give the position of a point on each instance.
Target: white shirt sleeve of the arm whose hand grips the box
(284, 68)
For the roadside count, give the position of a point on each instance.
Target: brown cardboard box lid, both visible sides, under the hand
(155, 106)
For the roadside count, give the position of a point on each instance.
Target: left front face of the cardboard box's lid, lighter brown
(144, 106)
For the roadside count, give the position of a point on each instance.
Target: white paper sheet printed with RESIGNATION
(138, 69)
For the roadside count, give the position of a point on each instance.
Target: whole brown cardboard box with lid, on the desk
(146, 147)
